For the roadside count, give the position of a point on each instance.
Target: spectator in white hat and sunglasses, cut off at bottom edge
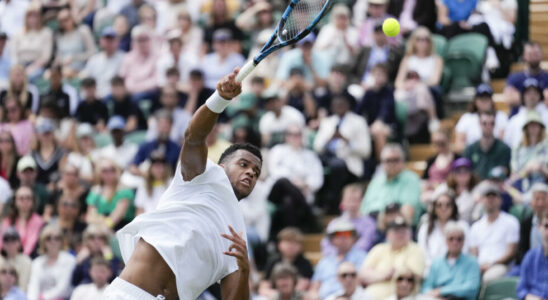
(348, 277)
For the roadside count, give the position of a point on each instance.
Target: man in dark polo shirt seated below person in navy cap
(489, 151)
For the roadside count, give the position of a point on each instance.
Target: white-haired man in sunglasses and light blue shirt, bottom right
(455, 275)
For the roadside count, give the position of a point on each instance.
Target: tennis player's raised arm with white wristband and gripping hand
(194, 151)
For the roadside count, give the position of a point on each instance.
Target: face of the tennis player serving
(243, 169)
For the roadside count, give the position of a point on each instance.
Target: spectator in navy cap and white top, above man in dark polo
(468, 129)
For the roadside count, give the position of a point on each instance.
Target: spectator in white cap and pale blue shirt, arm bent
(343, 236)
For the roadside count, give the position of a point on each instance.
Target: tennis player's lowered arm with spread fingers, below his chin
(236, 285)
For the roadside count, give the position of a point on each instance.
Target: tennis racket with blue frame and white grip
(298, 20)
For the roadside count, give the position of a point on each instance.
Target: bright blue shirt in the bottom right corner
(533, 274)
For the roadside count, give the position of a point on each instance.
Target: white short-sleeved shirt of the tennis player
(185, 229)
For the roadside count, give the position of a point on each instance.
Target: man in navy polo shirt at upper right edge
(532, 57)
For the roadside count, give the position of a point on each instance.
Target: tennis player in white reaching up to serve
(178, 250)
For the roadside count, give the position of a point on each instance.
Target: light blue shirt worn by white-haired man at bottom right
(461, 280)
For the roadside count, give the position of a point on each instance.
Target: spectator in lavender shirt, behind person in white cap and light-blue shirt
(365, 225)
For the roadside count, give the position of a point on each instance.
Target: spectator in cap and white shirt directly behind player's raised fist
(222, 60)
